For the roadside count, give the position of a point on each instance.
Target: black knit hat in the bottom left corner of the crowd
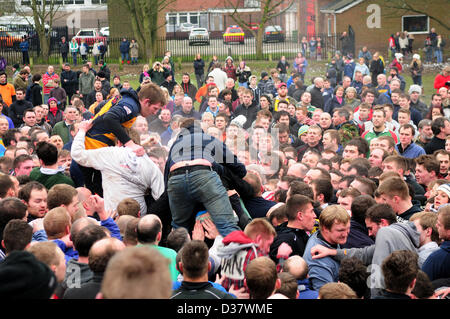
(23, 276)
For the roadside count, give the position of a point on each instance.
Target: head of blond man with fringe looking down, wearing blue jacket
(334, 224)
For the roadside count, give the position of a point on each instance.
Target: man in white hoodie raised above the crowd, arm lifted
(124, 174)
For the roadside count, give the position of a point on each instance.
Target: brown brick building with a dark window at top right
(373, 23)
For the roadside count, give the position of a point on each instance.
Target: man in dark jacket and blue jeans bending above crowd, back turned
(192, 179)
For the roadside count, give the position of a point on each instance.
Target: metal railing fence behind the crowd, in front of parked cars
(186, 51)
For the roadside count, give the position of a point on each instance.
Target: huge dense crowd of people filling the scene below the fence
(242, 186)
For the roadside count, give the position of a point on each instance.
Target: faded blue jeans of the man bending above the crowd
(185, 191)
